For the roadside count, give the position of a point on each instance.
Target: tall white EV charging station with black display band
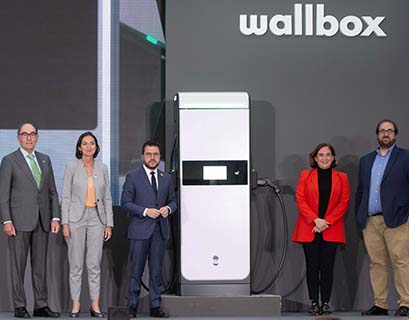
(214, 186)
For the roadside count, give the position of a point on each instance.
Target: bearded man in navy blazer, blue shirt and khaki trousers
(382, 207)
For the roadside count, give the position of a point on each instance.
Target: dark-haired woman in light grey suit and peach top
(87, 219)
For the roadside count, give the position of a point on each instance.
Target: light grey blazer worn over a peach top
(74, 192)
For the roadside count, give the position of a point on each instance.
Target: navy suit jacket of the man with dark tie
(137, 195)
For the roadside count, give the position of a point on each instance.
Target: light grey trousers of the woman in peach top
(88, 233)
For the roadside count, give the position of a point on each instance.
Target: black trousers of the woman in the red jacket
(320, 257)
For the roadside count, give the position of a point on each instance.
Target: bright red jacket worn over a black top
(307, 203)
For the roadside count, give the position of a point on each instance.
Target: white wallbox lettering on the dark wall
(325, 25)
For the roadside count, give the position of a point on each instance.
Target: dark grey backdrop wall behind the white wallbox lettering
(304, 90)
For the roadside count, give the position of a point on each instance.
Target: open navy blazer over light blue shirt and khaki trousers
(394, 188)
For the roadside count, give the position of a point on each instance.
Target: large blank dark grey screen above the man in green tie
(49, 63)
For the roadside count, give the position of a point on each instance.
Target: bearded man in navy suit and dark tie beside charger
(148, 196)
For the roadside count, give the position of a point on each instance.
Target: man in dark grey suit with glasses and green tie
(29, 209)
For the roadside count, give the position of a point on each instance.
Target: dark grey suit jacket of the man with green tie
(20, 199)
